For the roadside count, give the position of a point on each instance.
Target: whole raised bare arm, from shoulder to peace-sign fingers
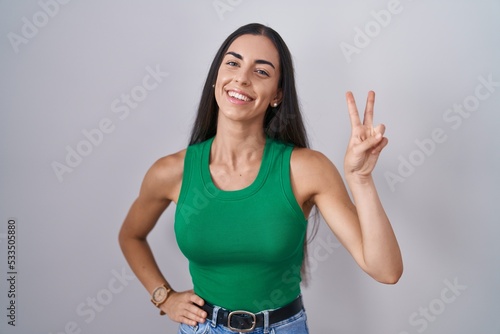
(364, 228)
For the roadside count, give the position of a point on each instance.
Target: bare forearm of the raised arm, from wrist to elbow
(381, 253)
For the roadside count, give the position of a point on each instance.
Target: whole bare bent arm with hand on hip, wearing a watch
(160, 187)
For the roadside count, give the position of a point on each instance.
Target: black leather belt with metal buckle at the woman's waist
(244, 321)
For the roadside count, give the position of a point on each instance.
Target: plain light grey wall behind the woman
(66, 74)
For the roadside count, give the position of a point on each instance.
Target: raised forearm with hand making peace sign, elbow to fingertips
(380, 248)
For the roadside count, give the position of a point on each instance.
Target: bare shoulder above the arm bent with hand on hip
(164, 177)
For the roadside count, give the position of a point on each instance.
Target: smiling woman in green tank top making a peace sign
(243, 190)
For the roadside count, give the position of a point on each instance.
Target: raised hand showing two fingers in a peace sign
(366, 141)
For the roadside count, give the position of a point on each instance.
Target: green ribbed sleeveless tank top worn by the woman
(245, 247)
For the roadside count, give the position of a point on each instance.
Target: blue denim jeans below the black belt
(296, 324)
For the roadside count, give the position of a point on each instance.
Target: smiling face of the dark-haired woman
(247, 80)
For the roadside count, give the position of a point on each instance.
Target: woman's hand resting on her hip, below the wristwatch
(185, 307)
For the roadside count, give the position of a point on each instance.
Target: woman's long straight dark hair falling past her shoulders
(283, 123)
